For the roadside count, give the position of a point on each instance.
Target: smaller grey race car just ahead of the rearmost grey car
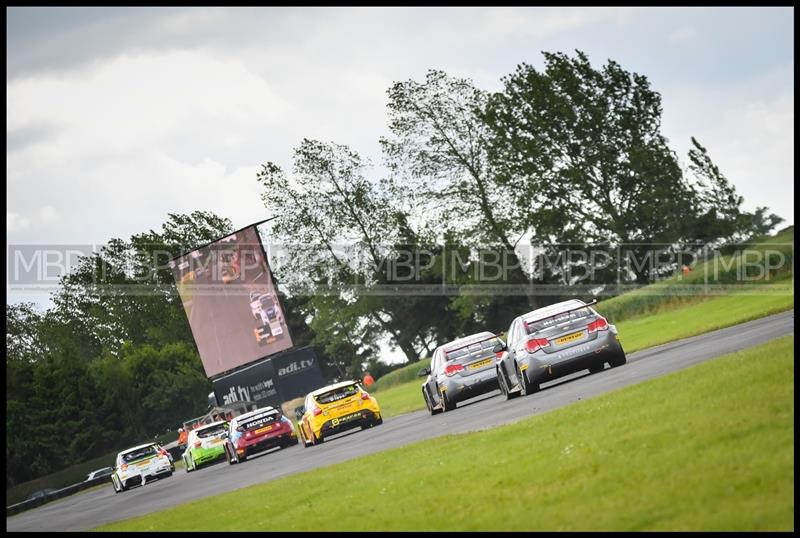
(460, 370)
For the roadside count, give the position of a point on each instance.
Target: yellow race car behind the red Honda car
(334, 409)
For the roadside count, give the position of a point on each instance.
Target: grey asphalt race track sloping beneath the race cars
(87, 510)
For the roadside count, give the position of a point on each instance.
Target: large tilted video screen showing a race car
(231, 302)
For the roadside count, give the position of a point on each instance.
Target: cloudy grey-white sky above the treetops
(116, 117)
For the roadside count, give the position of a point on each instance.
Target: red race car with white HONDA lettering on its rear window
(256, 431)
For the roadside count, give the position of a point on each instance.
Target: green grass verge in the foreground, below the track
(707, 448)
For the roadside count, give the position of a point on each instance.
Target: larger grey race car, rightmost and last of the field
(555, 341)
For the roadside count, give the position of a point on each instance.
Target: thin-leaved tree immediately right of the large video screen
(343, 229)
